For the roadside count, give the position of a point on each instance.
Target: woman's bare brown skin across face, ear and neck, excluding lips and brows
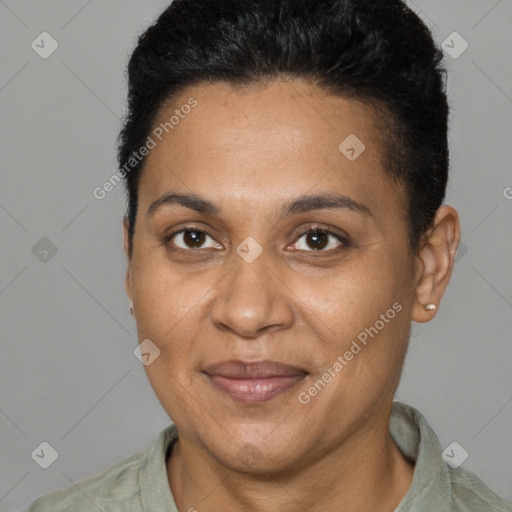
(249, 150)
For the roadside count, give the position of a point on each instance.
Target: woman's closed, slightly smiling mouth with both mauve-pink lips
(253, 382)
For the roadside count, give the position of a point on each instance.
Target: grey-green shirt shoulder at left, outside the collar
(108, 491)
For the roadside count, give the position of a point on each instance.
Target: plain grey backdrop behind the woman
(68, 375)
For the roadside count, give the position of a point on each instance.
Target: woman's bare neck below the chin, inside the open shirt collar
(365, 472)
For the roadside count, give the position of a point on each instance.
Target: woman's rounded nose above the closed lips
(252, 300)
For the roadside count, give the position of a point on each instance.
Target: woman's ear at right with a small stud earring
(435, 261)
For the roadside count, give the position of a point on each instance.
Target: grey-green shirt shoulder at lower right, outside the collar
(469, 493)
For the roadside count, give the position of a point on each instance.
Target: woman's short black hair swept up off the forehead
(376, 51)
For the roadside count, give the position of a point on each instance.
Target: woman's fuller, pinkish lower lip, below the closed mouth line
(255, 390)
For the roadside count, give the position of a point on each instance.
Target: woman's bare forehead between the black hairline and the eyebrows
(267, 142)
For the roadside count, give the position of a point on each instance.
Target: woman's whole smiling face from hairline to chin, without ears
(272, 270)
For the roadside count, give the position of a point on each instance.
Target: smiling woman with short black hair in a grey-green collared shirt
(286, 164)
